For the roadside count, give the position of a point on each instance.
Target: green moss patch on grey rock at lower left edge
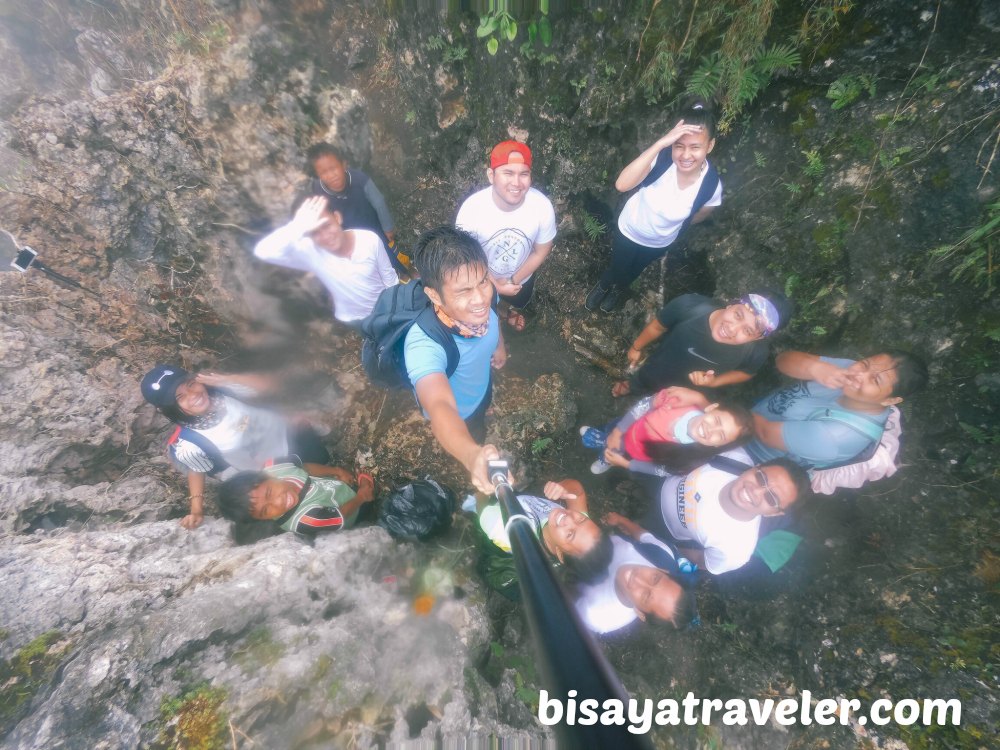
(26, 673)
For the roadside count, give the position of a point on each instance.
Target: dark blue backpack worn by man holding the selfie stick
(384, 331)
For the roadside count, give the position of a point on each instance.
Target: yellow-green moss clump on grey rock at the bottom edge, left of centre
(194, 720)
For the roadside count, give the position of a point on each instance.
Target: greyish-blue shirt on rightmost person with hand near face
(811, 443)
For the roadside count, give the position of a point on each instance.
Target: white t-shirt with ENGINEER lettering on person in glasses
(691, 511)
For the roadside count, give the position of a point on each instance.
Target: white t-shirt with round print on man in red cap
(508, 237)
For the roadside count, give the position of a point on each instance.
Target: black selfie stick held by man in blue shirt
(568, 657)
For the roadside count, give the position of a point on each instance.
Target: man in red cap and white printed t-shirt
(514, 223)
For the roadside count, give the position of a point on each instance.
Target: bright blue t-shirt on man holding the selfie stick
(471, 378)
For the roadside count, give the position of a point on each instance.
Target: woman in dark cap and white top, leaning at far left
(218, 433)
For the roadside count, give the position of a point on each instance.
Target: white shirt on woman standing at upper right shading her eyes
(654, 215)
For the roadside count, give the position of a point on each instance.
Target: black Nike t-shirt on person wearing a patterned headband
(688, 346)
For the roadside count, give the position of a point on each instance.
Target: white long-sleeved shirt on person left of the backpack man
(354, 283)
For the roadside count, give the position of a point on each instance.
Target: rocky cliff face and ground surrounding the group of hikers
(143, 153)
